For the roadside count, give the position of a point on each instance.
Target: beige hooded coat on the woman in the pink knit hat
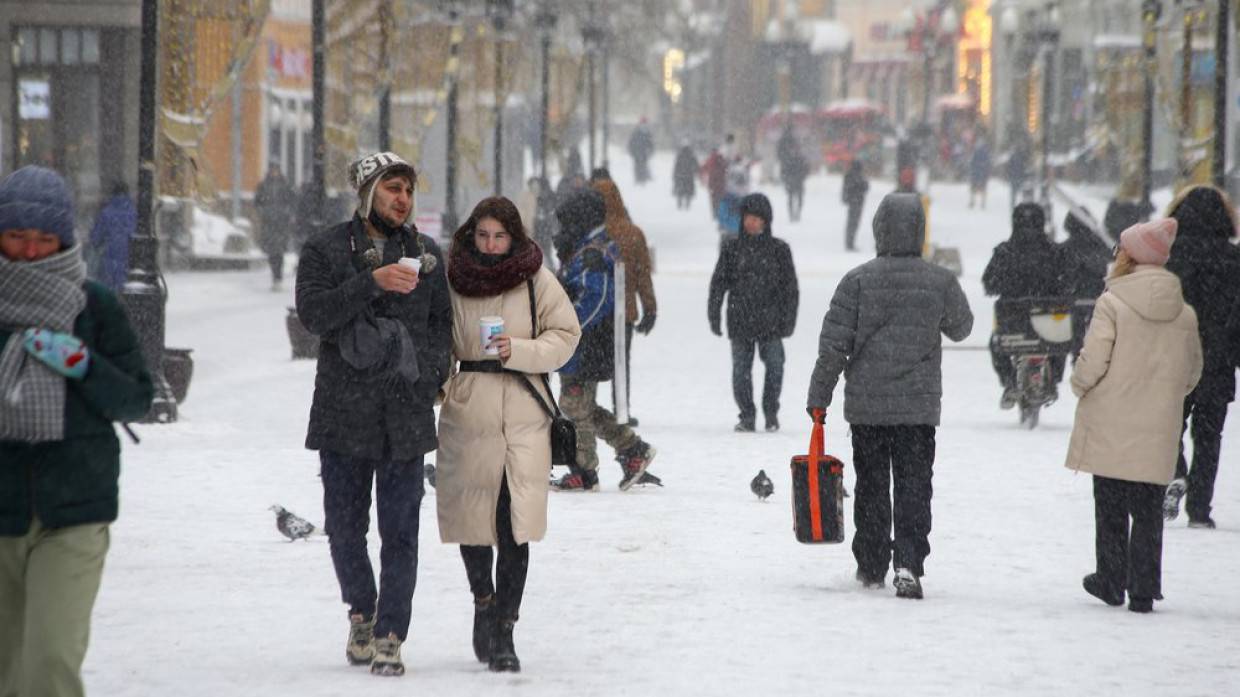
(1141, 358)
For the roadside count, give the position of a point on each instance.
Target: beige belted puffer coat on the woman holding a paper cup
(490, 425)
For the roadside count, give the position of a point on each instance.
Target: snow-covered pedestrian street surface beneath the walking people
(693, 590)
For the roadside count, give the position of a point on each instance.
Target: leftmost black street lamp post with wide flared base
(143, 295)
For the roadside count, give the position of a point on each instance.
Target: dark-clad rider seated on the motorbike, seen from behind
(1025, 266)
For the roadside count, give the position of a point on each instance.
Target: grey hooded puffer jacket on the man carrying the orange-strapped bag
(883, 328)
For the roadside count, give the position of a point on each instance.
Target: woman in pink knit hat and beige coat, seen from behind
(1141, 358)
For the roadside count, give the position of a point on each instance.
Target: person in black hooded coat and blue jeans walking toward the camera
(757, 275)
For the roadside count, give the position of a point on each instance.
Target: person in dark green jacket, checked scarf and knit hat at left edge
(70, 368)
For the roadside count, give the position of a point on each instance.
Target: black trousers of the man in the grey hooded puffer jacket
(892, 463)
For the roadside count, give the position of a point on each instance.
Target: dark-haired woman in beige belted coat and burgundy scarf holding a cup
(494, 437)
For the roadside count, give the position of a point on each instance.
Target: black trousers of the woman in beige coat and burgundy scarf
(511, 570)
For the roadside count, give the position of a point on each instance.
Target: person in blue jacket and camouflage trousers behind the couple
(587, 271)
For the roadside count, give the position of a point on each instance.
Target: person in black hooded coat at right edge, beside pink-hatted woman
(1208, 266)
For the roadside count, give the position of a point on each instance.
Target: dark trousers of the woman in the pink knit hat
(1128, 560)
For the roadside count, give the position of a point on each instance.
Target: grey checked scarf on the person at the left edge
(44, 295)
